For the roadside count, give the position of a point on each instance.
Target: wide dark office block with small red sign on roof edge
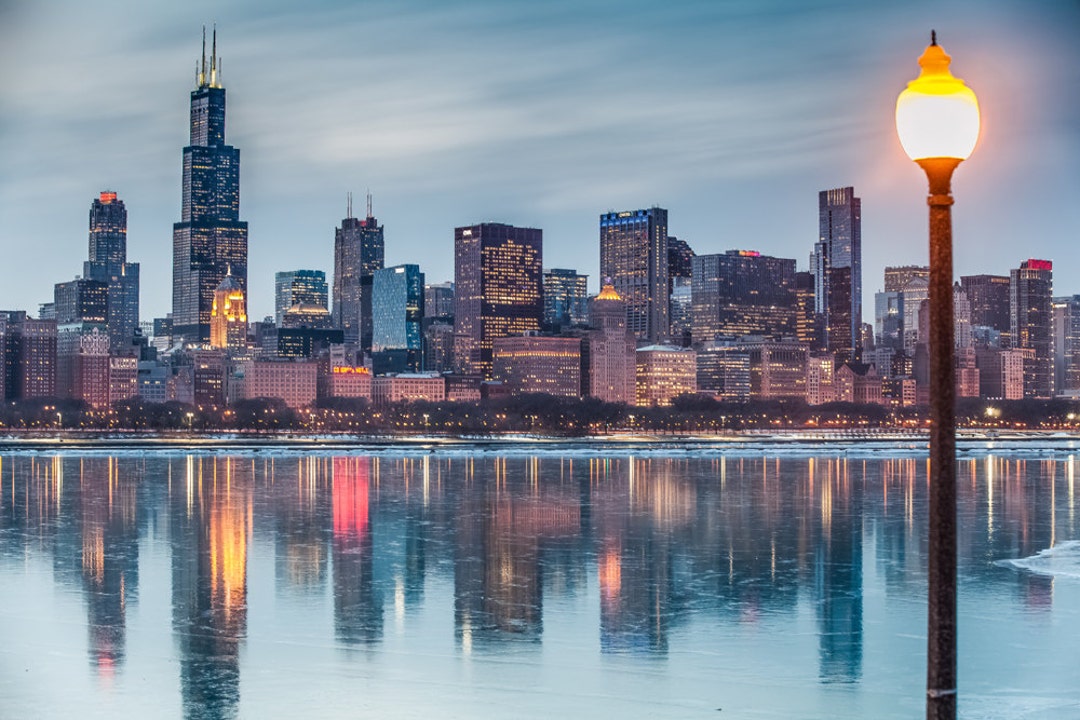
(742, 293)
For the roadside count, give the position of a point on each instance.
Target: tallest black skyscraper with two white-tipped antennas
(210, 239)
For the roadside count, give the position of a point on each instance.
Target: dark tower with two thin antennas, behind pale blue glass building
(359, 251)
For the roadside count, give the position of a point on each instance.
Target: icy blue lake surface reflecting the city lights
(750, 582)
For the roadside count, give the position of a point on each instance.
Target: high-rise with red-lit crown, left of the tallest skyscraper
(109, 264)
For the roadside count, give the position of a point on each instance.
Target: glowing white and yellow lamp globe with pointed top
(937, 115)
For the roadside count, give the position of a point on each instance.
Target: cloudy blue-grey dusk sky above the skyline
(733, 115)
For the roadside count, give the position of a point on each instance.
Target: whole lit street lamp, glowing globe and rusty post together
(938, 124)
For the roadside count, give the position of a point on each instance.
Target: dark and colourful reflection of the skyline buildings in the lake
(663, 545)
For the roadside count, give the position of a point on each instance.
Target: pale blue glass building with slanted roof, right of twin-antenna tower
(397, 318)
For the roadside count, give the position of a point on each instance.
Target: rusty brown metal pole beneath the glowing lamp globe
(941, 602)
